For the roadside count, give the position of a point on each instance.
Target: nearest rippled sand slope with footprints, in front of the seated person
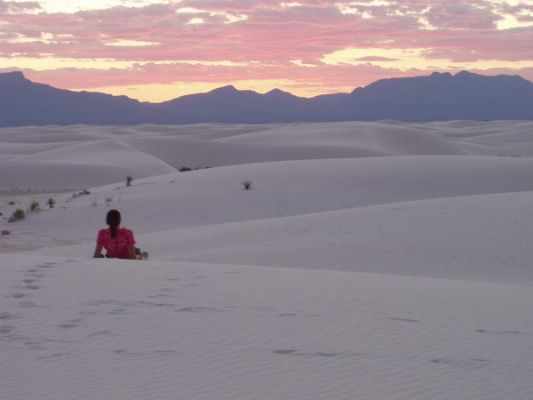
(81, 329)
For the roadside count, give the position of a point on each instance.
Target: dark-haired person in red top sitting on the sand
(118, 242)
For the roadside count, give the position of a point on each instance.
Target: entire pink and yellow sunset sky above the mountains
(156, 50)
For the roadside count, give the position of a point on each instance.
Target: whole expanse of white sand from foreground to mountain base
(373, 261)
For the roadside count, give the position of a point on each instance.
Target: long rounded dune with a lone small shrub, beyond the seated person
(287, 188)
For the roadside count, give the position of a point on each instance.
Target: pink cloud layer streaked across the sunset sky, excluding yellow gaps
(271, 34)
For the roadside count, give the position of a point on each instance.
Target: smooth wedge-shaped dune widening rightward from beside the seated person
(480, 238)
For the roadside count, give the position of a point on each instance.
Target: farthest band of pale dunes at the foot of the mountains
(150, 150)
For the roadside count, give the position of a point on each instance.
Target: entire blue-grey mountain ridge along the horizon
(437, 97)
